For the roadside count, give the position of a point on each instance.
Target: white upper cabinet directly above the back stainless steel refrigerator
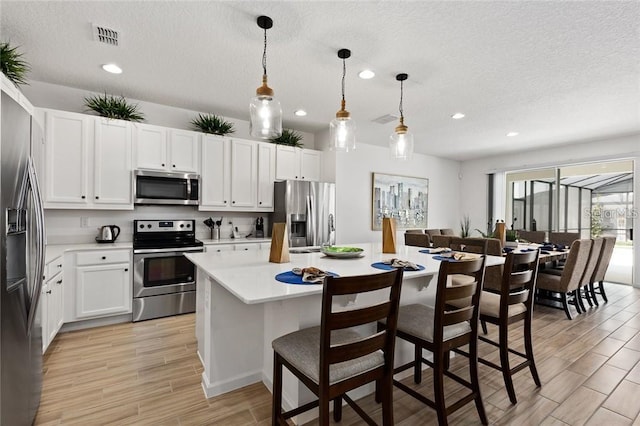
(297, 163)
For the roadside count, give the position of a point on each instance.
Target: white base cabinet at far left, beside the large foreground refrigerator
(51, 302)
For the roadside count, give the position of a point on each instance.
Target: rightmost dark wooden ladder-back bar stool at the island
(512, 305)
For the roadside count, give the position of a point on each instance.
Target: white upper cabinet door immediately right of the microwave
(216, 173)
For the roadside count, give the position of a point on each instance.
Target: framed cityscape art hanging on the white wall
(403, 198)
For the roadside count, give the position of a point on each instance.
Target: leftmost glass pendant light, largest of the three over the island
(265, 110)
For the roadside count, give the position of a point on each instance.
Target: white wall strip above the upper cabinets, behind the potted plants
(46, 95)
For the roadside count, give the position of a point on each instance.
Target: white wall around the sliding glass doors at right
(473, 195)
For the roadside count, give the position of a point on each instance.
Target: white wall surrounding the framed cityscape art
(353, 172)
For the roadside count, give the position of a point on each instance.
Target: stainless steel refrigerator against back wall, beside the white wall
(308, 209)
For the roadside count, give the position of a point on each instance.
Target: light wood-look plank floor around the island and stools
(148, 373)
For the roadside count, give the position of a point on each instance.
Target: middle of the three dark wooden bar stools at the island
(439, 330)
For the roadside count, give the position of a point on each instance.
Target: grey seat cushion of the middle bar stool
(417, 320)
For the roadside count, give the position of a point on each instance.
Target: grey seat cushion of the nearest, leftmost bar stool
(302, 350)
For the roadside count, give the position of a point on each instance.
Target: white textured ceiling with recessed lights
(554, 71)
